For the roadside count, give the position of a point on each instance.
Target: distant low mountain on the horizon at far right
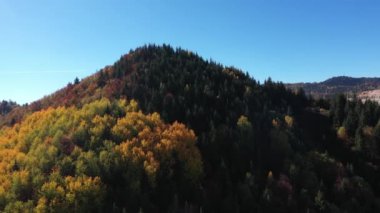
(336, 85)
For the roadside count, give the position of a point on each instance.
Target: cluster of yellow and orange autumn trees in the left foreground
(107, 153)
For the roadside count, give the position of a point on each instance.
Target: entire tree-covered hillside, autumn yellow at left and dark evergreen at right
(164, 130)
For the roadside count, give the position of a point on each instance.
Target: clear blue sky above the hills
(44, 44)
